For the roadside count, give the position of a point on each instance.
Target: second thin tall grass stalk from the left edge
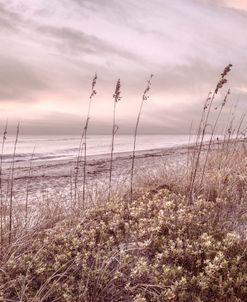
(12, 184)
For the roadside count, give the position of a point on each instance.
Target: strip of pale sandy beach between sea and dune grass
(57, 177)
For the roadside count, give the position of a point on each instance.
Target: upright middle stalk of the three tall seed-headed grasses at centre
(117, 98)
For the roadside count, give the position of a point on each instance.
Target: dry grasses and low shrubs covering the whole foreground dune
(183, 238)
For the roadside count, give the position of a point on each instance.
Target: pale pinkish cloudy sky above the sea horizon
(50, 51)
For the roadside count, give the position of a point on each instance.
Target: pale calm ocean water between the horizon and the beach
(64, 147)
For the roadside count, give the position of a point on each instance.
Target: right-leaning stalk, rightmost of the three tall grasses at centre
(144, 98)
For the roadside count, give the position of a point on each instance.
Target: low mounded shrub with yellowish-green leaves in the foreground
(158, 248)
